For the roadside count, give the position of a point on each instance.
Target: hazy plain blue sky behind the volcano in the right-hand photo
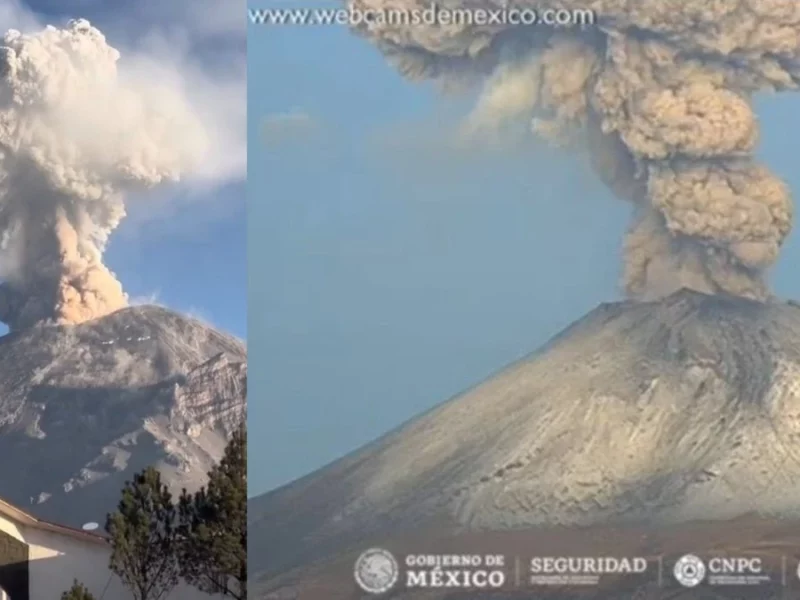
(388, 274)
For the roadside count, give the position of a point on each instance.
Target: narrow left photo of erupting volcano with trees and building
(123, 313)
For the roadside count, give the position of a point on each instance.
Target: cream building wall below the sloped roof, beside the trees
(56, 560)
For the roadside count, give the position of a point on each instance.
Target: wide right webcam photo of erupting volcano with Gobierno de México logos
(523, 310)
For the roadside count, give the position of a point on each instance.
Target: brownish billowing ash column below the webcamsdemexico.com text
(660, 94)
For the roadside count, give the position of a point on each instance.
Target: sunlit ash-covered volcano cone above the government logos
(668, 411)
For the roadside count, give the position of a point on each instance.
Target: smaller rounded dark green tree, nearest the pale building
(144, 537)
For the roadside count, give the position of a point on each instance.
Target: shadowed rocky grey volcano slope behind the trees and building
(83, 407)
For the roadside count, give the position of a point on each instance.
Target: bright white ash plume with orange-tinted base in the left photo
(75, 135)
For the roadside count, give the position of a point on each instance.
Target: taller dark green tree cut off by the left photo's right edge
(213, 526)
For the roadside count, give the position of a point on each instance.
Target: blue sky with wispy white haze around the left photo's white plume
(183, 247)
